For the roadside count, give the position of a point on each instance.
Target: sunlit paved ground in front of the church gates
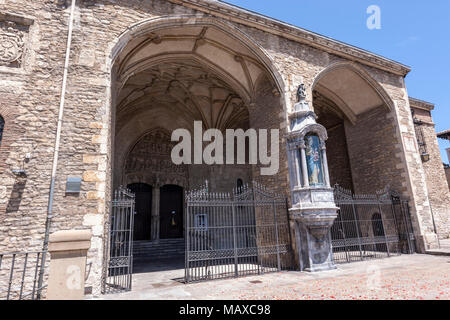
(404, 277)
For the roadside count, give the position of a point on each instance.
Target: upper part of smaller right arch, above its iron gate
(355, 110)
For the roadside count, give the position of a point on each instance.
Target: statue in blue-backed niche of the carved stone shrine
(314, 160)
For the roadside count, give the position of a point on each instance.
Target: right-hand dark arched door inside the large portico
(171, 212)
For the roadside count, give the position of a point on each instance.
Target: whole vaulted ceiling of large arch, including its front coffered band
(182, 74)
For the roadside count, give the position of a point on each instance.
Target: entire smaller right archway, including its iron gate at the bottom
(361, 149)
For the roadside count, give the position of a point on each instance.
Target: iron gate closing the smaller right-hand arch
(370, 226)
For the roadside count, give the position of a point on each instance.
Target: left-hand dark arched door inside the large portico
(143, 211)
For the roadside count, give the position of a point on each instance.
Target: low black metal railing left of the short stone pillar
(19, 274)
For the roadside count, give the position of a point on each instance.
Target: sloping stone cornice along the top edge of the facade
(245, 17)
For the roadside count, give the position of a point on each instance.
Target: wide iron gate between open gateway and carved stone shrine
(236, 234)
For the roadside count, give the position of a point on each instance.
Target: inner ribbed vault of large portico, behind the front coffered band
(184, 89)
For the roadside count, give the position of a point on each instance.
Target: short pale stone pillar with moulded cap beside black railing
(68, 252)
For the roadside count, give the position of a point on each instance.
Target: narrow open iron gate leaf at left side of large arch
(120, 261)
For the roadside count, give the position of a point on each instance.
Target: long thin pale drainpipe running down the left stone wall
(56, 152)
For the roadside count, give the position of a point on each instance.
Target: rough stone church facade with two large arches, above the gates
(139, 69)
